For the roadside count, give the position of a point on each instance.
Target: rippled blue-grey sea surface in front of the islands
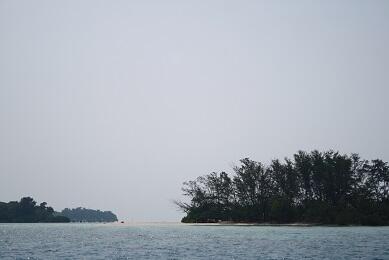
(180, 241)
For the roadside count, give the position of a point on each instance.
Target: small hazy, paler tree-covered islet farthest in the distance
(88, 215)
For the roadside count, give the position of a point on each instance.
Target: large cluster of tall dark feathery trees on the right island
(316, 187)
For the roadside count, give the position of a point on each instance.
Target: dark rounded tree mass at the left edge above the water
(27, 210)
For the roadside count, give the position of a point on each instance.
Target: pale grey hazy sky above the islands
(112, 105)
